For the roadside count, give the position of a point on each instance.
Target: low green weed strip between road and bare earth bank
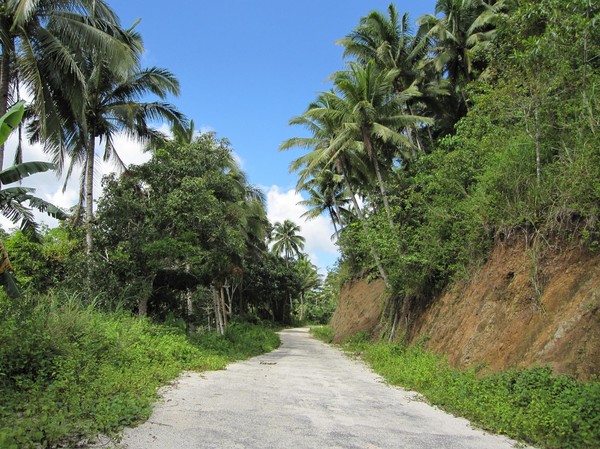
(529, 405)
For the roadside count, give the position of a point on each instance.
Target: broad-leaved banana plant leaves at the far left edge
(12, 199)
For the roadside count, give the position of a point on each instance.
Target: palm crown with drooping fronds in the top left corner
(40, 41)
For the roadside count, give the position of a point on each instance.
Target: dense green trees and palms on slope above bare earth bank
(480, 126)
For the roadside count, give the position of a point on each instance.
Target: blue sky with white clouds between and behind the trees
(245, 68)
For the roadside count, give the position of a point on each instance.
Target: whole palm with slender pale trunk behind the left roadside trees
(113, 105)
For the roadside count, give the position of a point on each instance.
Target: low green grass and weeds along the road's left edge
(69, 372)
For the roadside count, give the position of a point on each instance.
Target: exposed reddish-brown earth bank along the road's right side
(520, 309)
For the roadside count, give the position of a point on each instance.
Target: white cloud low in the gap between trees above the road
(283, 204)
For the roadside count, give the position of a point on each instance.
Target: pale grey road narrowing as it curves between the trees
(303, 395)
